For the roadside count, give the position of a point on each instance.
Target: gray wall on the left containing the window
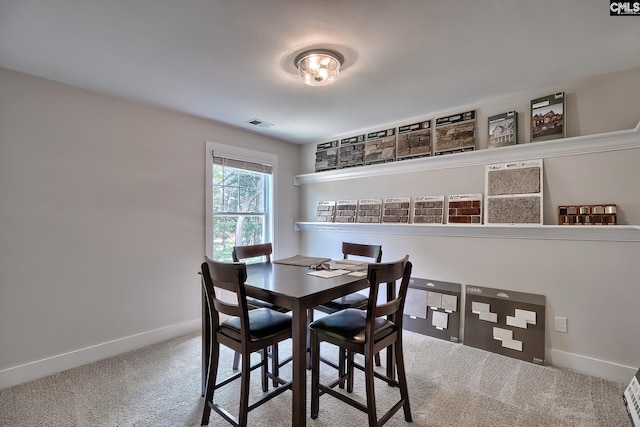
(102, 207)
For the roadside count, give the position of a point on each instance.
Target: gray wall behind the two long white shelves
(594, 284)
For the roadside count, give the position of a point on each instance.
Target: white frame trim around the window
(238, 153)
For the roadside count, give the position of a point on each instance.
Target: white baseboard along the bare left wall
(41, 368)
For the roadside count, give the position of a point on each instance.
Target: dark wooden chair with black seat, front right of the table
(366, 332)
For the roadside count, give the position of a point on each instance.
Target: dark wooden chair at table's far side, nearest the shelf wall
(354, 300)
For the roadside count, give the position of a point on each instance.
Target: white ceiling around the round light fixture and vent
(232, 60)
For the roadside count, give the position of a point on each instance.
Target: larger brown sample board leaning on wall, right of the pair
(505, 322)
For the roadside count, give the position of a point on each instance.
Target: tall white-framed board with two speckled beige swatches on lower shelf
(514, 193)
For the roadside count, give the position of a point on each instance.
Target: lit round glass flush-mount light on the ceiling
(318, 67)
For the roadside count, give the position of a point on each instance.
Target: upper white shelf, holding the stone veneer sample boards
(604, 142)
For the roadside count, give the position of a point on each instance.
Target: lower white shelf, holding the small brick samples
(607, 233)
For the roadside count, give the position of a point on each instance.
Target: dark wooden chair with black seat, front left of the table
(245, 331)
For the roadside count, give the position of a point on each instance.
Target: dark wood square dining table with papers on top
(292, 287)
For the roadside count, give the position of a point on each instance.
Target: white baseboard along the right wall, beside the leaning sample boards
(590, 366)
